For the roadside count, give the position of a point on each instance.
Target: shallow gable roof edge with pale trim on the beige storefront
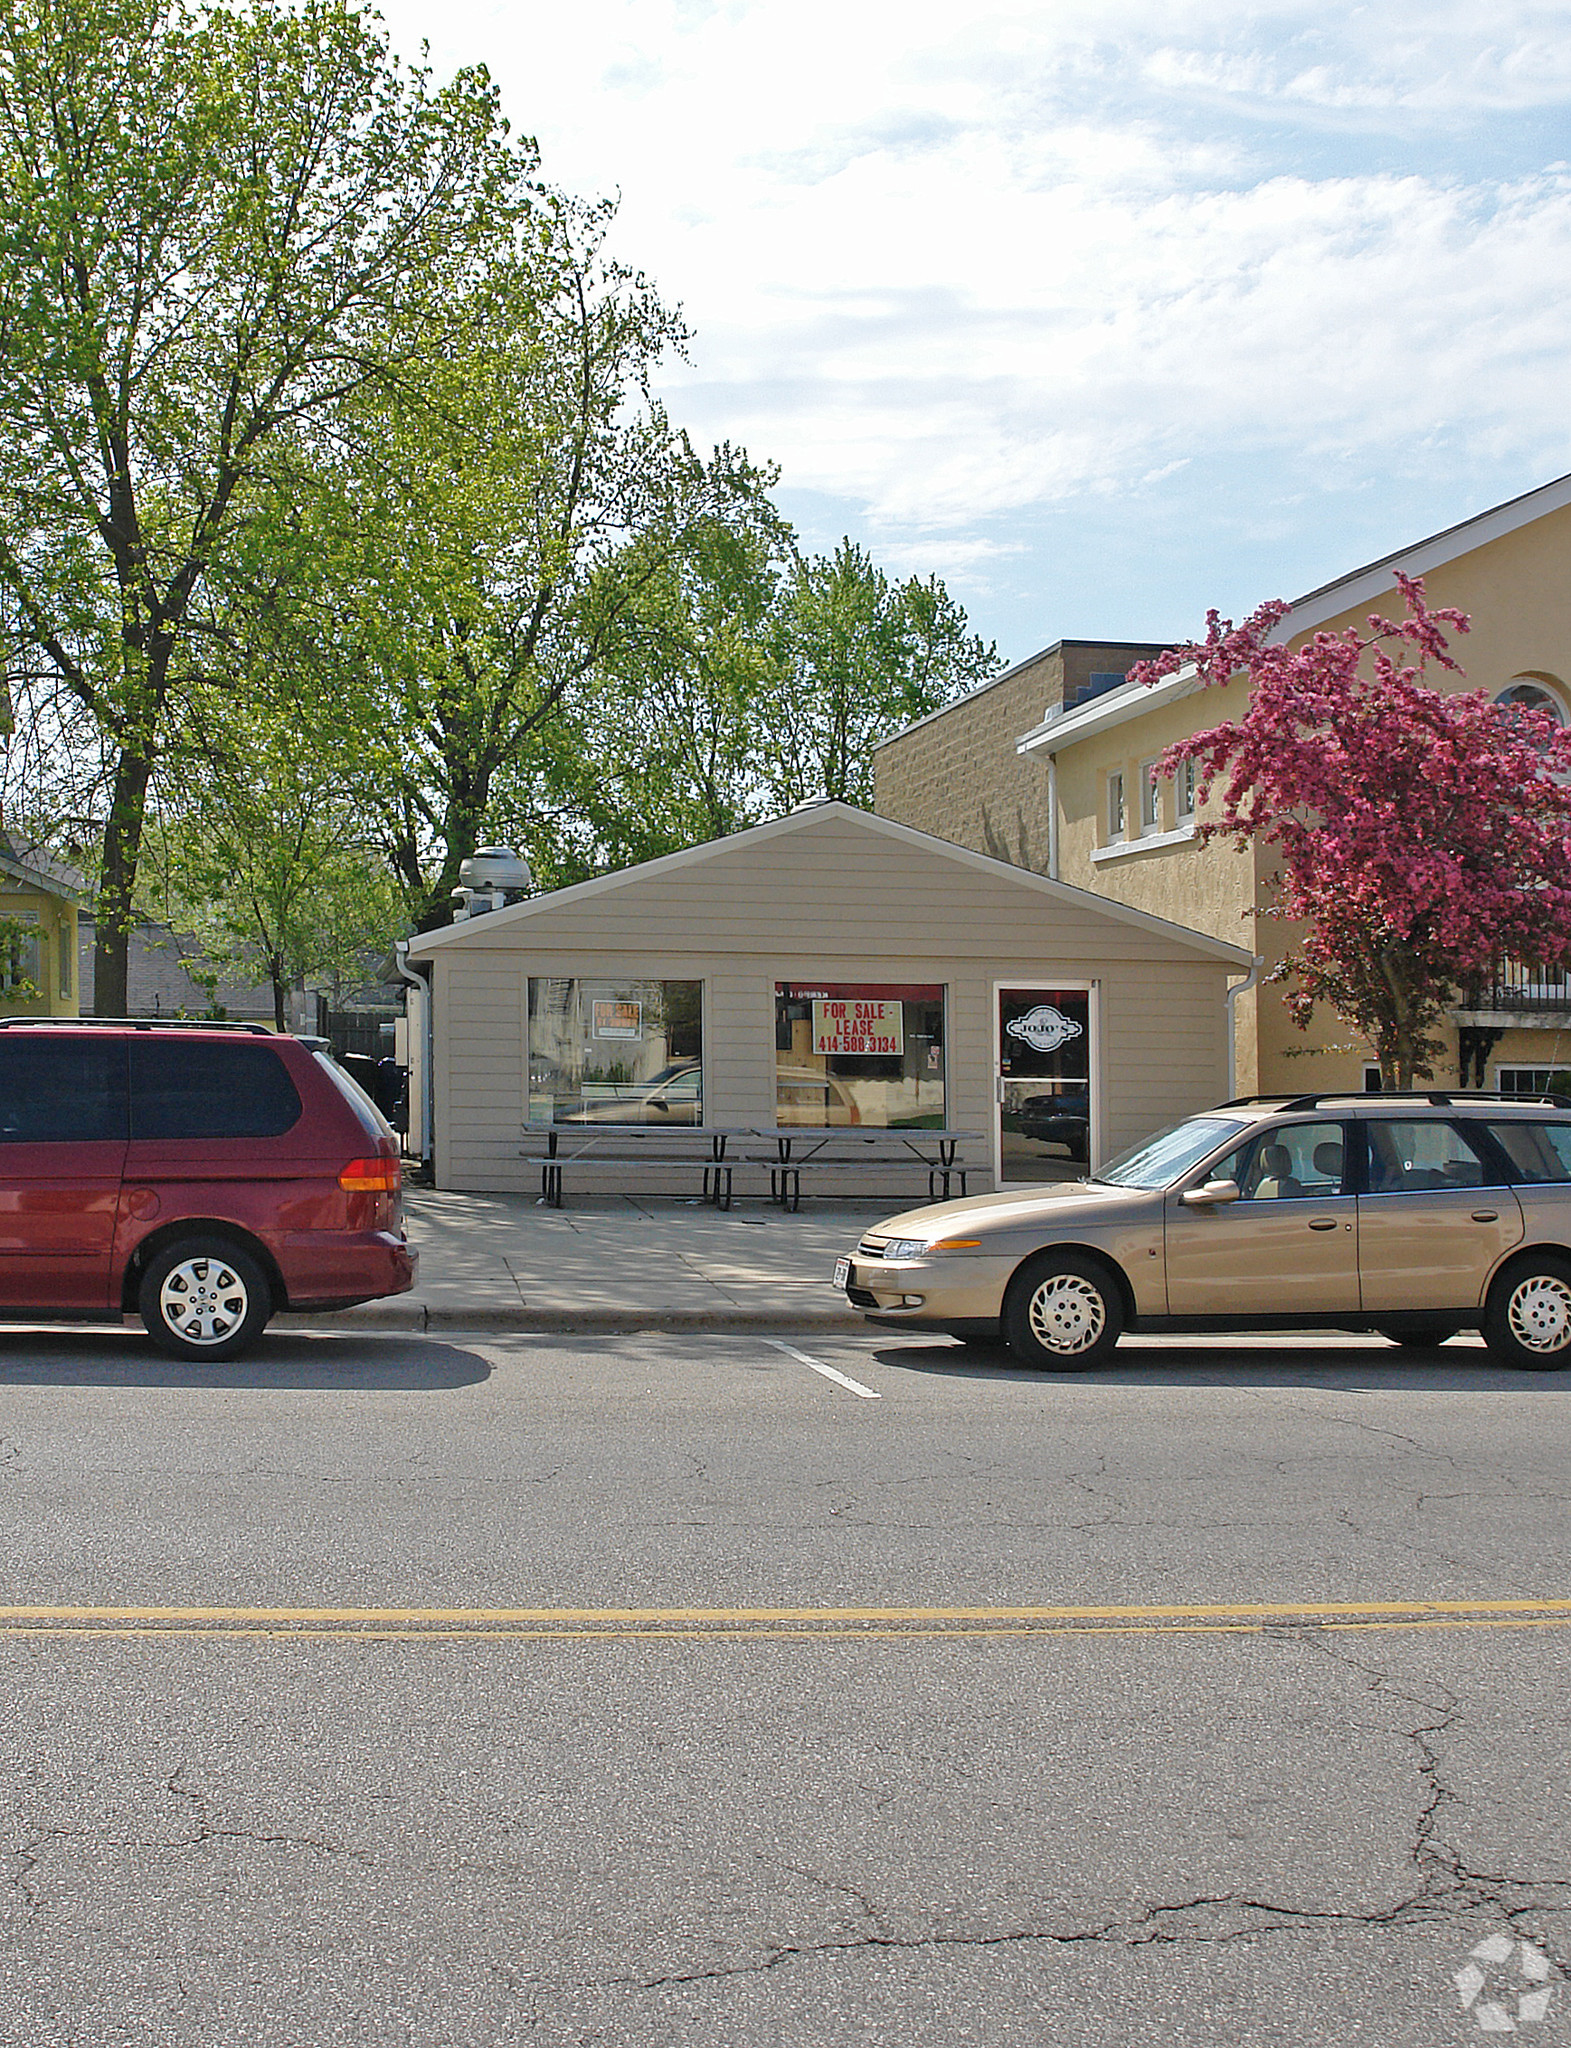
(816, 818)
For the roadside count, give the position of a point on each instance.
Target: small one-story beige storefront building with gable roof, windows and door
(829, 970)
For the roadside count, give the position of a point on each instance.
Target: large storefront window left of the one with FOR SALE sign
(615, 1052)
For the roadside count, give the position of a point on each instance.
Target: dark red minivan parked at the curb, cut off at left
(206, 1177)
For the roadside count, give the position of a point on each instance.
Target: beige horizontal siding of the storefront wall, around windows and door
(833, 898)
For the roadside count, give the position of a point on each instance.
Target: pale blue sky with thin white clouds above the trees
(1101, 310)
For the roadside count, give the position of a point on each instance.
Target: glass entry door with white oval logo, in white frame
(1044, 1084)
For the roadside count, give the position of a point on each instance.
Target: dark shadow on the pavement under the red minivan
(286, 1361)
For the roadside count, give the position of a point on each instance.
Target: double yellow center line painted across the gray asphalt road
(710, 1625)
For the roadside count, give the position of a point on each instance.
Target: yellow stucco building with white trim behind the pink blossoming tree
(1113, 833)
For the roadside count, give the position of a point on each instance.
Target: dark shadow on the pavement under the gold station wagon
(1201, 1363)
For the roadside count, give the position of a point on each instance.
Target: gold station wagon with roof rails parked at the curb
(1414, 1215)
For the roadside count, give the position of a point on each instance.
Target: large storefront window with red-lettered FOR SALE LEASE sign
(859, 1054)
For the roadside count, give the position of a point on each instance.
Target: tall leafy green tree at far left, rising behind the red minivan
(218, 226)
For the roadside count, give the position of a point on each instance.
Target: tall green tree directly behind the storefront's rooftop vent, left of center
(544, 503)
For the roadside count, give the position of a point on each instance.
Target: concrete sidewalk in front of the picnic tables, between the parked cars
(613, 1263)
